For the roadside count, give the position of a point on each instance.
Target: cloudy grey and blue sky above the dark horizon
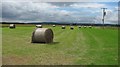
(79, 12)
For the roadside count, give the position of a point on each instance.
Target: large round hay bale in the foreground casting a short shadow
(42, 35)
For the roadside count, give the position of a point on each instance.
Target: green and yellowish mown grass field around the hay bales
(82, 46)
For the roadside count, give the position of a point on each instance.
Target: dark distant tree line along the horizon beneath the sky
(64, 23)
